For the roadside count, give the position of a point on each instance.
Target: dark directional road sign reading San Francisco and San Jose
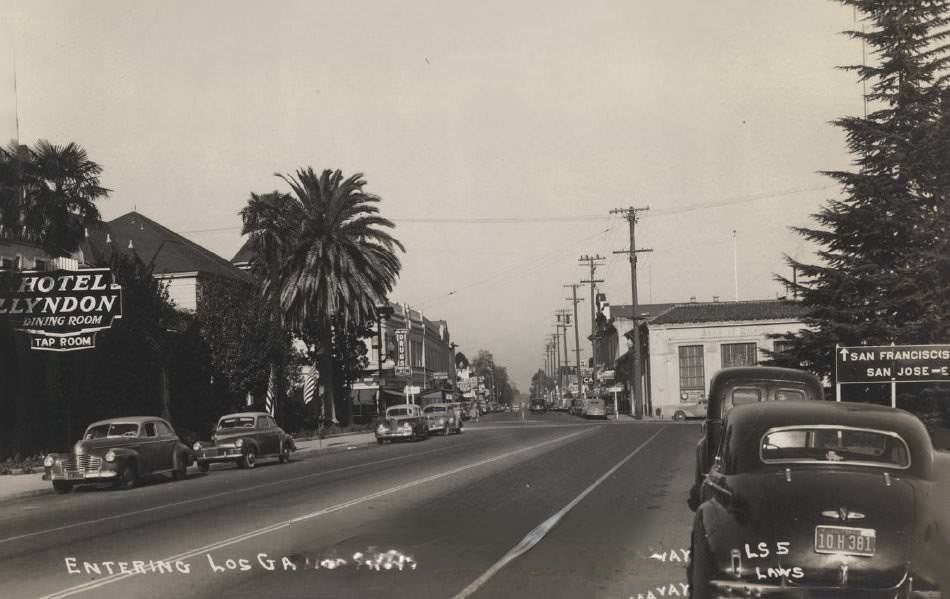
(892, 364)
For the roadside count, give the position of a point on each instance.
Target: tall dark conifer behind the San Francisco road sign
(882, 244)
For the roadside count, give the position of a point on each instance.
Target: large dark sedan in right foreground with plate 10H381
(822, 499)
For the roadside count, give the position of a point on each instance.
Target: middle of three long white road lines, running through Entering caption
(81, 588)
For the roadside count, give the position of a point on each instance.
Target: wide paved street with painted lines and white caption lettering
(555, 507)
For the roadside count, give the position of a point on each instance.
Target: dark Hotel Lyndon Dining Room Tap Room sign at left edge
(60, 310)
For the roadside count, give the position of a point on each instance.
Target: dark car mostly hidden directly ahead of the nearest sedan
(742, 385)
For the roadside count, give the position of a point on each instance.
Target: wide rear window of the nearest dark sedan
(830, 444)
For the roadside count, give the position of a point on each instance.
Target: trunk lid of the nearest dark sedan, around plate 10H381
(843, 498)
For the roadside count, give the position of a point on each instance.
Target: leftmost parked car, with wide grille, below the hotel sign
(121, 451)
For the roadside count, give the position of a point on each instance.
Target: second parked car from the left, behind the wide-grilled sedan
(243, 438)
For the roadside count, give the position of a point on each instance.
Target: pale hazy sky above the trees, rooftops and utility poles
(547, 113)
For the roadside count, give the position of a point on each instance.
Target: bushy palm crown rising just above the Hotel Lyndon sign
(61, 187)
